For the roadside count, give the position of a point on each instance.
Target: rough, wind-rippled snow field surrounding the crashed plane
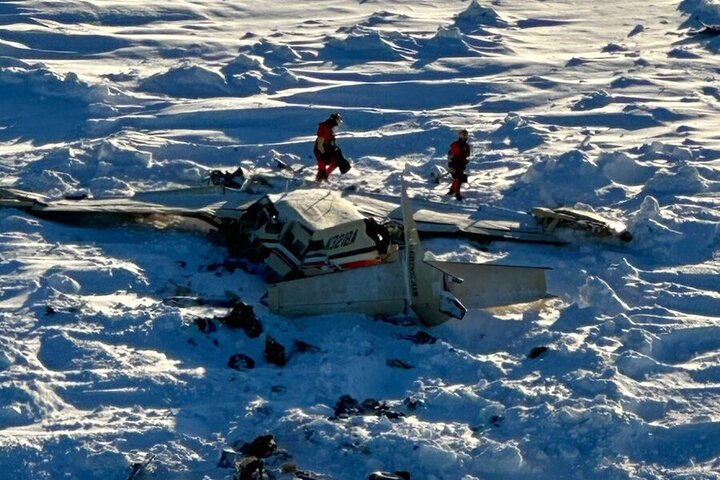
(614, 105)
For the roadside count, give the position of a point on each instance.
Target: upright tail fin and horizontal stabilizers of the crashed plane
(435, 290)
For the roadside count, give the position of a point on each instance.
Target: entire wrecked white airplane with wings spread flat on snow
(363, 248)
